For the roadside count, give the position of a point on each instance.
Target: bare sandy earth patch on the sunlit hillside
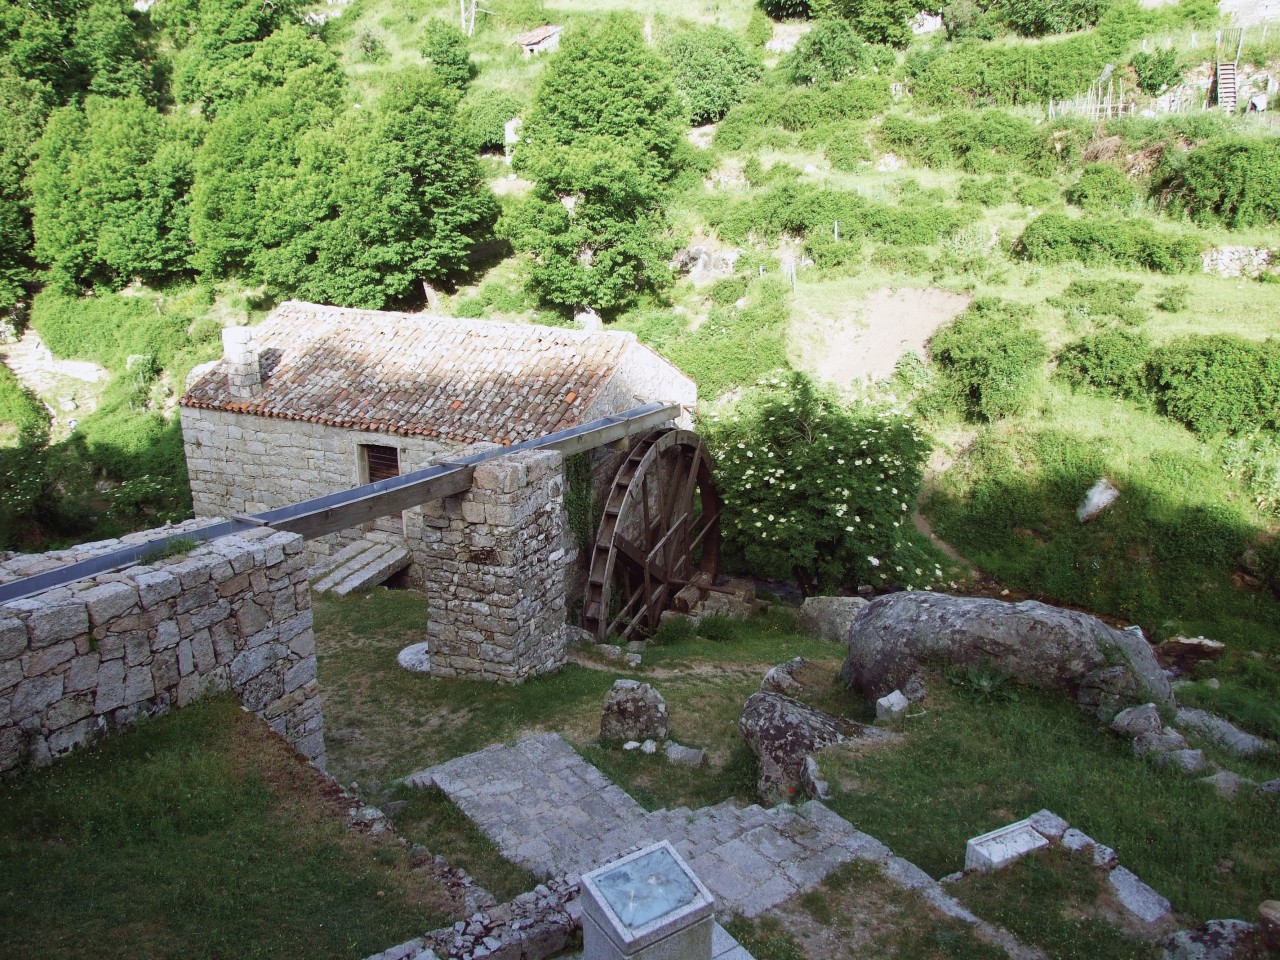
(866, 341)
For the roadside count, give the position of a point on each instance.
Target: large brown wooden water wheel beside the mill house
(660, 536)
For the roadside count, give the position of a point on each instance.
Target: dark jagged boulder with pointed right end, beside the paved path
(783, 733)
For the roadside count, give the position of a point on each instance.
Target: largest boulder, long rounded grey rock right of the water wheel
(895, 637)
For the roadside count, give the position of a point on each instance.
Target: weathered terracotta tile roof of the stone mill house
(420, 376)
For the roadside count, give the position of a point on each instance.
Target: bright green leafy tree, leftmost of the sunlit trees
(109, 194)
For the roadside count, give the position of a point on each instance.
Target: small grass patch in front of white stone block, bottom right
(1050, 899)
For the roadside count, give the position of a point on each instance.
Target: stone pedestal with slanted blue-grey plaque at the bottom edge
(647, 907)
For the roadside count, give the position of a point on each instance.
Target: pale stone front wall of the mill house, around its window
(241, 464)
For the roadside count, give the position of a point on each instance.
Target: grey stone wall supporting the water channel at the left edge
(80, 661)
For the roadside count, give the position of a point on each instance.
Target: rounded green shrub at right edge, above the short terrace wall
(1233, 180)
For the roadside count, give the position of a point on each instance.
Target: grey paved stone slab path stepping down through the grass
(555, 813)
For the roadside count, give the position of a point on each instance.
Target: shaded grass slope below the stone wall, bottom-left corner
(198, 835)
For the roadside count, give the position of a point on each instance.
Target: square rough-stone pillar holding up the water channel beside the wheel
(495, 564)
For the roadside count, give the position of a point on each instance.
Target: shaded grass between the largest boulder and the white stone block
(966, 770)
